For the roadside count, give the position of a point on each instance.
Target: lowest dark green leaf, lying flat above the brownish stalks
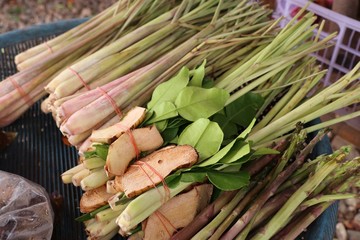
(228, 181)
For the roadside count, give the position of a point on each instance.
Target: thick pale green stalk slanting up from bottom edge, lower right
(277, 222)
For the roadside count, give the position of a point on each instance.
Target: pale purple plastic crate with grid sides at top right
(341, 57)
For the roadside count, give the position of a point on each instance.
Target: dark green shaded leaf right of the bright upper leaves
(243, 110)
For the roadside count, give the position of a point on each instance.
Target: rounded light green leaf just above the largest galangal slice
(205, 136)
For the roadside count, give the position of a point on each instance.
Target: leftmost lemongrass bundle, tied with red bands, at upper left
(41, 63)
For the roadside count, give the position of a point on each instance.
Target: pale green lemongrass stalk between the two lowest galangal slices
(144, 205)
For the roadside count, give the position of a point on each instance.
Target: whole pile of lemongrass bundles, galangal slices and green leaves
(190, 118)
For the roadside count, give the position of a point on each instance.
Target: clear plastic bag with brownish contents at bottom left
(25, 209)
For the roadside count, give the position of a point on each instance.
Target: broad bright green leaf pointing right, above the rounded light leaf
(194, 102)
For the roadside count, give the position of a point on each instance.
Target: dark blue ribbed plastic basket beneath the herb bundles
(39, 155)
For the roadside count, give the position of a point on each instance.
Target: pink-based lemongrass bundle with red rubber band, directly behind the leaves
(209, 43)
